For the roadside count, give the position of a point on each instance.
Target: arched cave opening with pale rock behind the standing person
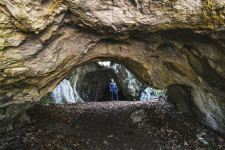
(91, 83)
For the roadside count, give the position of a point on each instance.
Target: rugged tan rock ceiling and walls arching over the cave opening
(162, 42)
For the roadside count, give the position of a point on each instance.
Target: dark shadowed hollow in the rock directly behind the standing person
(94, 86)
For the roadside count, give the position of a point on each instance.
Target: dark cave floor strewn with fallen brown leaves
(109, 126)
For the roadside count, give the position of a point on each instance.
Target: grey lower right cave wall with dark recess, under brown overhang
(199, 102)
